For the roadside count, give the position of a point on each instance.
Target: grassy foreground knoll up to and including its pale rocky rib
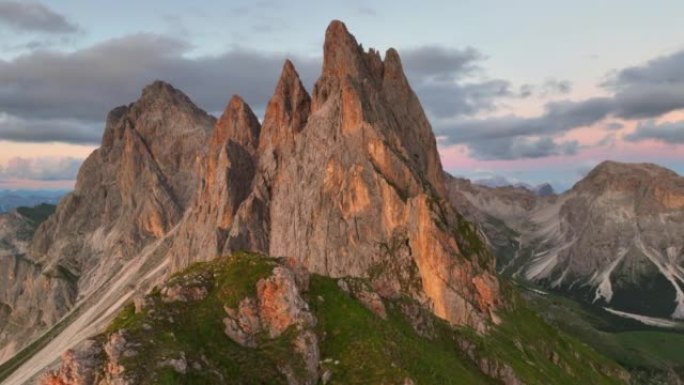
(275, 319)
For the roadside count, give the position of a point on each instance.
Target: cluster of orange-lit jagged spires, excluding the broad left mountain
(348, 182)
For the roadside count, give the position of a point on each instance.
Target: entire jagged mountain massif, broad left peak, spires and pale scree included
(348, 182)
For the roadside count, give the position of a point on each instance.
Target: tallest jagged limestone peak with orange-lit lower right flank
(363, 194)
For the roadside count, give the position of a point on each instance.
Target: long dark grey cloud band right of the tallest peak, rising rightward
(640, 92)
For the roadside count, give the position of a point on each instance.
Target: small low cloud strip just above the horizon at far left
(41, 168)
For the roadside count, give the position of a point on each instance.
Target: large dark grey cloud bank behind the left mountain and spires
(56, 96)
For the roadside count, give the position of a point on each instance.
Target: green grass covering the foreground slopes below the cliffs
(357, 346)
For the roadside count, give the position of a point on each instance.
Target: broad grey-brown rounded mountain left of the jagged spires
(129, 193)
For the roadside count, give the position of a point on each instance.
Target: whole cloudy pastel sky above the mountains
(529, 90)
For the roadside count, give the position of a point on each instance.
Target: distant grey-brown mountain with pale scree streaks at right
(614, 239)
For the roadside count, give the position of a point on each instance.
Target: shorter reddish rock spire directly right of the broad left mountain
(226, 174)
